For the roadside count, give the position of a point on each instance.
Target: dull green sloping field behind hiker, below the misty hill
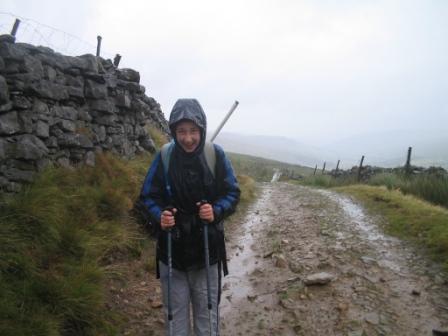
(263, 169)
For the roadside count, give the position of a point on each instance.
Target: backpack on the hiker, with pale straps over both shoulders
(139, 210)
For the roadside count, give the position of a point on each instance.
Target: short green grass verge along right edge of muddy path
(407, 217)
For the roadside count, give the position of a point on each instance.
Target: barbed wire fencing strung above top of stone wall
(37, 33)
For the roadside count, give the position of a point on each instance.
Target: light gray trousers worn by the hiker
(191, 288)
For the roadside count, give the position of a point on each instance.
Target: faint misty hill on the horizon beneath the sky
(386, 149)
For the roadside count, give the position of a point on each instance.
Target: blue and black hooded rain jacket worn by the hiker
(191, 181)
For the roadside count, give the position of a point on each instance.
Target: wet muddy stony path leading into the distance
(294, 237)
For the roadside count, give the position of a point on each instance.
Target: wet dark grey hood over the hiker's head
(188, 109)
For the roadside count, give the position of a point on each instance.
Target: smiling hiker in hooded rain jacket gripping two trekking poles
(183, 198)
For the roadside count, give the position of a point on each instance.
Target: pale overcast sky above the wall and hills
(313, 70)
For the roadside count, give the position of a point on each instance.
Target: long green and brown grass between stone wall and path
(57, 238)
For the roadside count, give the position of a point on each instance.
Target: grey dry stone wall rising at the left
(62, 110)
